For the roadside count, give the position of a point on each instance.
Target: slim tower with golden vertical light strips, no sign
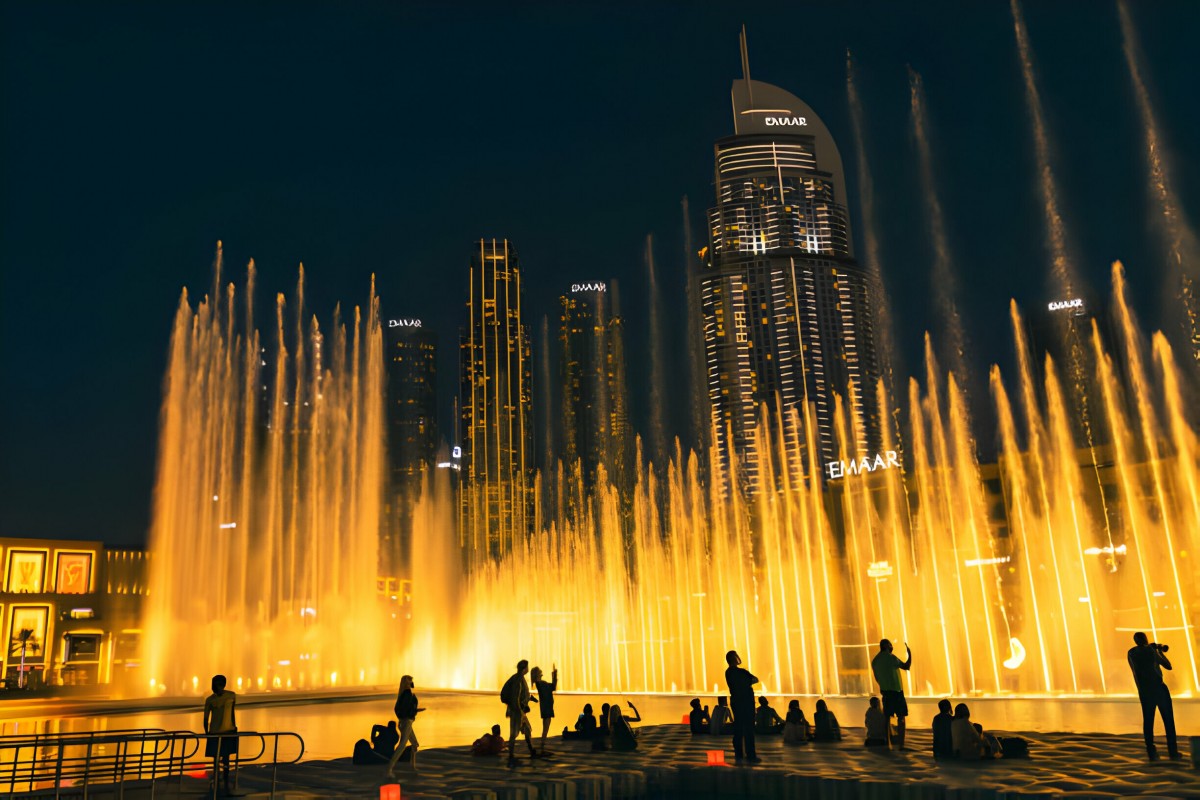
(497, 406)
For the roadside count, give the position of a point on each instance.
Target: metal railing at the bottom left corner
(46, 765)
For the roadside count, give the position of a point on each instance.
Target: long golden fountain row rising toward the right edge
(1037, 596)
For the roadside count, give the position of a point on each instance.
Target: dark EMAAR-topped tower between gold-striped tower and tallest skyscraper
(595, 418)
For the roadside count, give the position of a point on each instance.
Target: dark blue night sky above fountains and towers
(385, 139)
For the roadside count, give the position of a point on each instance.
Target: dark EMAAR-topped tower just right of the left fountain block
(412, 410)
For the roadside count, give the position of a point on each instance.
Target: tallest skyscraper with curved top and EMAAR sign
(787, 310)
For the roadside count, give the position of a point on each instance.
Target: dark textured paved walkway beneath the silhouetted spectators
(671, 765)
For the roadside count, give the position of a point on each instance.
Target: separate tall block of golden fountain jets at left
(267, 503)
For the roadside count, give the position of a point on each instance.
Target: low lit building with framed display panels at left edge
(74, 610)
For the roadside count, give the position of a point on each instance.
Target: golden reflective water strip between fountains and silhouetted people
(455, 719)
